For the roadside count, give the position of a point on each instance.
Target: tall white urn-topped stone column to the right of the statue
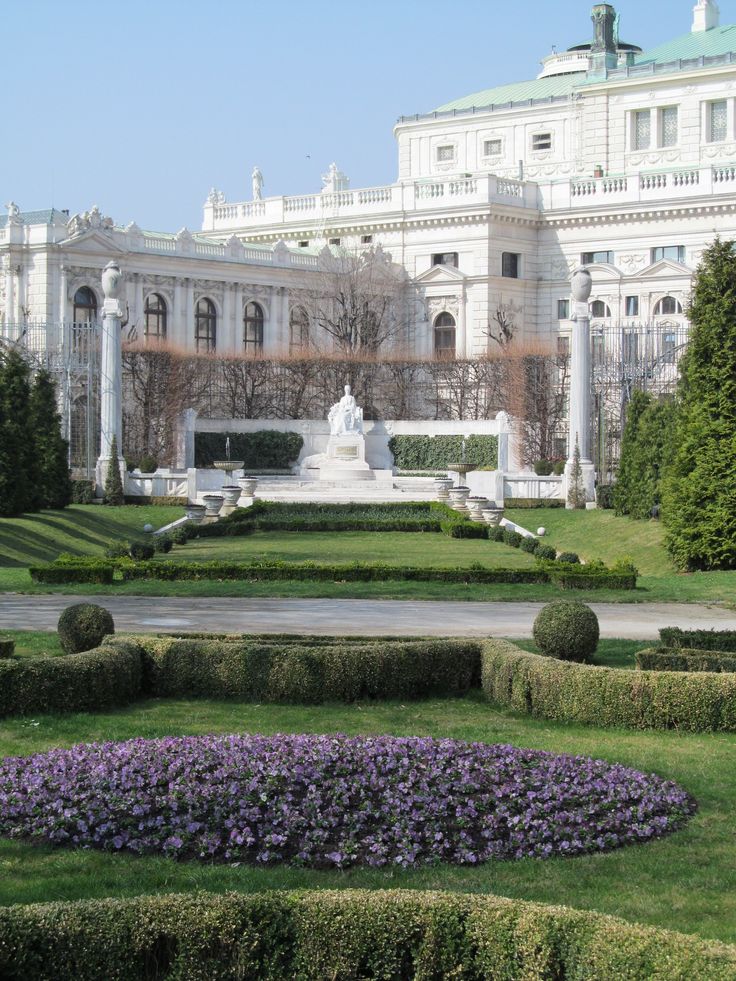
(580, 382)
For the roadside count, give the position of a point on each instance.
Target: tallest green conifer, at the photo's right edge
(699, 490)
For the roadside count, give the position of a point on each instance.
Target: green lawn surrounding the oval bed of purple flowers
(685, 882)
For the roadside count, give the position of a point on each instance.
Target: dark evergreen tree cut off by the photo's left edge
(19, 463)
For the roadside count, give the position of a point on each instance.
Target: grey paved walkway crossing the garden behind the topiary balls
(150, 614)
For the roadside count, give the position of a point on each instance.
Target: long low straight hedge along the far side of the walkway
(355, 572)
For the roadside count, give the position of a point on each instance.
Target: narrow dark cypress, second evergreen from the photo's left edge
(51, 449)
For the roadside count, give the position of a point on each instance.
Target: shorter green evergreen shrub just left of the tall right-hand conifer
(646, 449)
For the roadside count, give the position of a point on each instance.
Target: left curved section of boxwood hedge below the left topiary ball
(102, 678)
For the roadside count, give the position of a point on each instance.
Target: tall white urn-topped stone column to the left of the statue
(111, 373)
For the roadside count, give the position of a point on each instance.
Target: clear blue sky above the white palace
(141, 106)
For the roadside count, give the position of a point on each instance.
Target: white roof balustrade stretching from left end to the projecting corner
(371, 202)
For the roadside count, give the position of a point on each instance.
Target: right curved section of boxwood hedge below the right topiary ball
(606, 697)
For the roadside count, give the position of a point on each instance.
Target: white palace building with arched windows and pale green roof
(620, 159)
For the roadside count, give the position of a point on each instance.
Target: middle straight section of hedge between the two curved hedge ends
(265, 671)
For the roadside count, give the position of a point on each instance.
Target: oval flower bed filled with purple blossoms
(332, 800)
